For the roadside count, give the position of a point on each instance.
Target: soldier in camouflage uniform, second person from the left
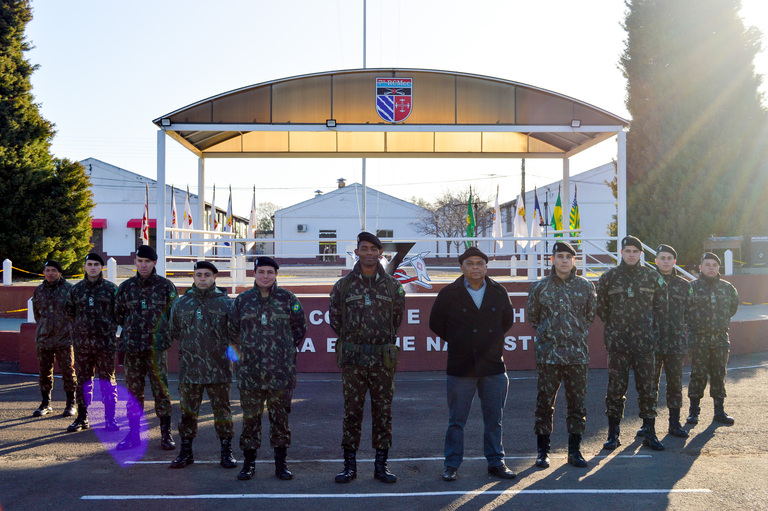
(91, 308)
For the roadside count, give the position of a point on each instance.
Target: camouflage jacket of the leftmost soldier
(53, 329)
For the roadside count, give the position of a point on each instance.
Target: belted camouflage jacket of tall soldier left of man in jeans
(374, 311)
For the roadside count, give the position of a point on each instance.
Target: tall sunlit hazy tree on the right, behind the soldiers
(696, 148)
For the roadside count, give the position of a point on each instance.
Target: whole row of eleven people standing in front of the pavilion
(651, 318)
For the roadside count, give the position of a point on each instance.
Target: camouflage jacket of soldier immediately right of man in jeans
(561, 311)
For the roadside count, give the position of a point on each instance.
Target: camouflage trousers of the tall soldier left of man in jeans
(380, 382)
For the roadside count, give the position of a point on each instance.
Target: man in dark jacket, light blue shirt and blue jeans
(472, 315)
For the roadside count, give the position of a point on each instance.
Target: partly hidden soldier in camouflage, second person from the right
(672, 340)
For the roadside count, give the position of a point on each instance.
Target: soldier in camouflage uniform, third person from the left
(140, 305)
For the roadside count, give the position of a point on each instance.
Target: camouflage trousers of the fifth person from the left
(278, 403)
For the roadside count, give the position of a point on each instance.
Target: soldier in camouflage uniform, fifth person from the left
(271, 326)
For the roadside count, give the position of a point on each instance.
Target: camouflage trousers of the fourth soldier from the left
(190, 398)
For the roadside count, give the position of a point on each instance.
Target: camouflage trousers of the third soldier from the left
(152, 364)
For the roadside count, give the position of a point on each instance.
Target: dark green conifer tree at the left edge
(46, 202)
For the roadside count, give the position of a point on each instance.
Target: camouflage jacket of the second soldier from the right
(670, 324)
